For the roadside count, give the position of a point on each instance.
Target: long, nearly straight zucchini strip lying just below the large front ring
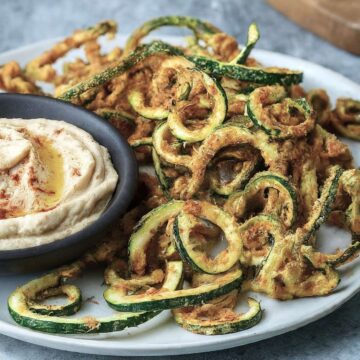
(174, 299)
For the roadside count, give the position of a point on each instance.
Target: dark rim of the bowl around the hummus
(122, 195)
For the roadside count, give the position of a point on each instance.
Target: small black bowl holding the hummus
(59, 252)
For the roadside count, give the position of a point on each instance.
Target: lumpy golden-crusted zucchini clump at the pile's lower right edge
(283, 271)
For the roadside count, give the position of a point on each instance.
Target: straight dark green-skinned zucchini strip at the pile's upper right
(245, 73)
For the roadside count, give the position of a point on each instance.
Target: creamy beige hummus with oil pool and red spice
(55, 179)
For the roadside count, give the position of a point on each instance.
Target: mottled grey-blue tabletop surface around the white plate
(334, 337)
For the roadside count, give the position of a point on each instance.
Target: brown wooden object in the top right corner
(337, 21)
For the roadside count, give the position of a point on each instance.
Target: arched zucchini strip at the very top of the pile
(201, 29)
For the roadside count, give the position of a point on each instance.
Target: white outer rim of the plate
(211, 343)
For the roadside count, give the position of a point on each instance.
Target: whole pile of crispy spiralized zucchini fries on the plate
(242, 154)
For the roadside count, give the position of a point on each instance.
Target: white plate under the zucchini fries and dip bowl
(161, 336)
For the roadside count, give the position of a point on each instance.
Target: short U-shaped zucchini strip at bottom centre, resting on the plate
(217, 327)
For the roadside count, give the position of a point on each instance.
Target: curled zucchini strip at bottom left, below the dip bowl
(24, 309)
